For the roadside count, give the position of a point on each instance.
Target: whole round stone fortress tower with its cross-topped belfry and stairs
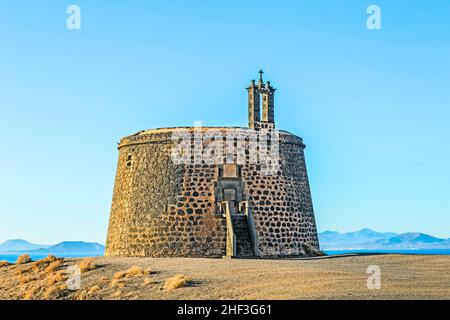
(214, 191)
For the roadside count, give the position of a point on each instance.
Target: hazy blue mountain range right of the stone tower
(368, 239)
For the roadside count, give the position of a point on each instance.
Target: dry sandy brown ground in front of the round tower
(402, 277)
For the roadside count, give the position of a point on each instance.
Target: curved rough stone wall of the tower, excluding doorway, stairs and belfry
(165, 208)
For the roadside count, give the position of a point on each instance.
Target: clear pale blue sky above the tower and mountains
(373, 107)
